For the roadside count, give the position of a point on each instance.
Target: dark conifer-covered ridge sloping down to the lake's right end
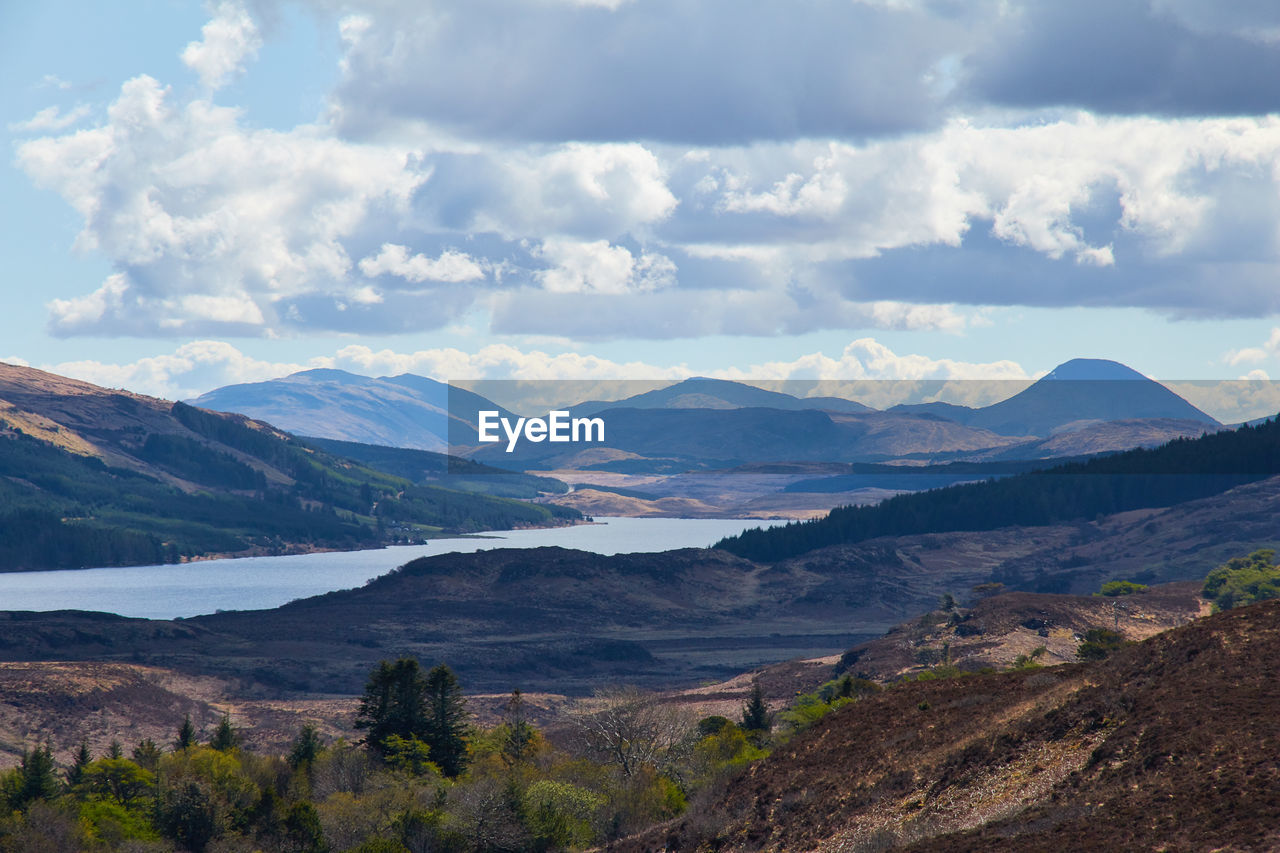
(1181, 471)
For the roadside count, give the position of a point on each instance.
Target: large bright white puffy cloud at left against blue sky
(212, 226)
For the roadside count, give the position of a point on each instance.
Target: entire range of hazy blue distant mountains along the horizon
(712, 423)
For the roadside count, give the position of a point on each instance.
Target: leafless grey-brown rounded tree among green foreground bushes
(632, 729)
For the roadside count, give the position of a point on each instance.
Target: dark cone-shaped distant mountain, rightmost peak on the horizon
(1071, 396)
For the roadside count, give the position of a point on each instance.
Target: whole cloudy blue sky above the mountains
(202, 194)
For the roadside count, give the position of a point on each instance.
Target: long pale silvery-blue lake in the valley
(255, 583)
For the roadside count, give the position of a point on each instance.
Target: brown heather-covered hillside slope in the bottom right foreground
(1169, 745)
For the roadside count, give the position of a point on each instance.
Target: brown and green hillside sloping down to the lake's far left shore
(92, 477)
